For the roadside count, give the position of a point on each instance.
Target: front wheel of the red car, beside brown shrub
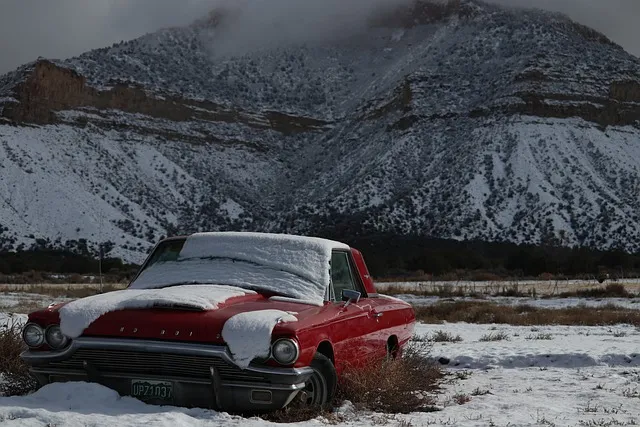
(320, 388)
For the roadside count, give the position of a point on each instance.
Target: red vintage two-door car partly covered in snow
(241, 322)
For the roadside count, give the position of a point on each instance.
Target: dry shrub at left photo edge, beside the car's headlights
(16, 379)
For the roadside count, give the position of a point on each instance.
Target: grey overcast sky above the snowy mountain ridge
(64, 28)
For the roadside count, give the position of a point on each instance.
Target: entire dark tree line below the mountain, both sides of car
(387, 255)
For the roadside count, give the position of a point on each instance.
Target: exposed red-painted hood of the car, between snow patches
(191, 324)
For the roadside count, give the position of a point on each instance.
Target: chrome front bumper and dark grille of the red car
(202, 375)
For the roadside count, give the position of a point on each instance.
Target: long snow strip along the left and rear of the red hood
(77, 315)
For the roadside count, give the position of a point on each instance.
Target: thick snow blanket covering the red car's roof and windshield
(294, 266)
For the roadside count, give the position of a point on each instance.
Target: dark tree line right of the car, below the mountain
(393, 255)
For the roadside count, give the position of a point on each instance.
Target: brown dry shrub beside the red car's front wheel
(402, 385)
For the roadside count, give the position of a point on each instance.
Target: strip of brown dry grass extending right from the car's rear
(487, 312)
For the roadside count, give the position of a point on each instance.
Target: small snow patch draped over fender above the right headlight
(248, 334)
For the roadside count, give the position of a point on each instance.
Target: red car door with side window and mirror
(355, 331)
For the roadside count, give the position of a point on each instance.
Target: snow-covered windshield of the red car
(170, 264)
